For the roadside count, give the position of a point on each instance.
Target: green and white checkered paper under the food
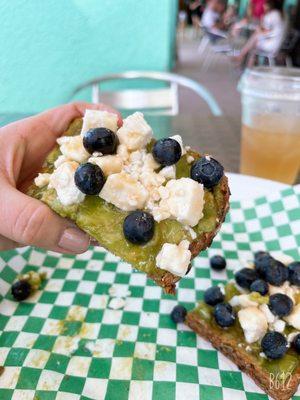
(65, 343)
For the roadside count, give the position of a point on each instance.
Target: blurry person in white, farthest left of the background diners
(212, 20)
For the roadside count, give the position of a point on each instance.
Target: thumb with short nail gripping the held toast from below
(30, 222)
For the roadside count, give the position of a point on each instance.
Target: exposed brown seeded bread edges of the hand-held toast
(163, 278)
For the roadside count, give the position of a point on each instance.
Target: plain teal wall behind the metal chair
(50, 46)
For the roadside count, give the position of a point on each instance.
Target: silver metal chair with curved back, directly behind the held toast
(162, 101)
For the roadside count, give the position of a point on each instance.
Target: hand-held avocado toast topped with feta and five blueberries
(134, 195)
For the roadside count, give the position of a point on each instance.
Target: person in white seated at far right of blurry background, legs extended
(268, 37)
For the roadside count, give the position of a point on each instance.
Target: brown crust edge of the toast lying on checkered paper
(229, 347)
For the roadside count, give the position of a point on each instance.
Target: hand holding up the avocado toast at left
(24, 145)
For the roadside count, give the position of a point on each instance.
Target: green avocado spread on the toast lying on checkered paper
(280, 368)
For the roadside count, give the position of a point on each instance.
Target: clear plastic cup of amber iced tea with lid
(270, 143)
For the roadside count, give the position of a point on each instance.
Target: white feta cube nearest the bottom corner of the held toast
(174, 258)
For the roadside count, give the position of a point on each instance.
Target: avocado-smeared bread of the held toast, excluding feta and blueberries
(103, 222)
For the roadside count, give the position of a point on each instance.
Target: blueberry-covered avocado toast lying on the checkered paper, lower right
(256, 323)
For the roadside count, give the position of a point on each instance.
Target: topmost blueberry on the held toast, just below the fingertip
(100, 139)
